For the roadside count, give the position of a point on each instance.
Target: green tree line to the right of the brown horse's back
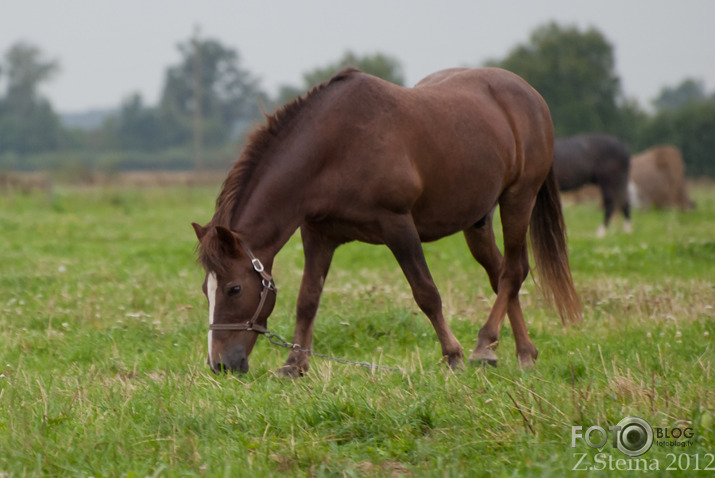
(574, 71)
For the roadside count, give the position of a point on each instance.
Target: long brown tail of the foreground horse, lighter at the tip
(548, 242)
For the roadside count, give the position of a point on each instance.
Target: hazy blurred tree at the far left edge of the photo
(27, 122)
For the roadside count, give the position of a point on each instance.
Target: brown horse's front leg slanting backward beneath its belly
(400, 235)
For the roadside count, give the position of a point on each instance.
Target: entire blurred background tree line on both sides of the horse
(209, 101)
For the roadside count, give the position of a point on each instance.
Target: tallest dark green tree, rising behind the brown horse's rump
(574, 72)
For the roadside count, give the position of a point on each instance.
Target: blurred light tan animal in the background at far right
(657, 179)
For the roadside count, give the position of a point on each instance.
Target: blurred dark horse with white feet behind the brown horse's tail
(598, 159)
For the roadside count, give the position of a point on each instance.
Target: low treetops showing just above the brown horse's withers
(378, 64)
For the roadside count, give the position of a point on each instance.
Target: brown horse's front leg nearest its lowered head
(318, 252)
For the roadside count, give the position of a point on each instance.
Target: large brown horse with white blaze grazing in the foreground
(359, 158)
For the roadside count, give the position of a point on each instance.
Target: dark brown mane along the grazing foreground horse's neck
(260, 140)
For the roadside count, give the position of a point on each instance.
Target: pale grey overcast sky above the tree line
(108, 50)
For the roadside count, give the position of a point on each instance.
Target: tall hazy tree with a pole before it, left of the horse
(229, 95)
